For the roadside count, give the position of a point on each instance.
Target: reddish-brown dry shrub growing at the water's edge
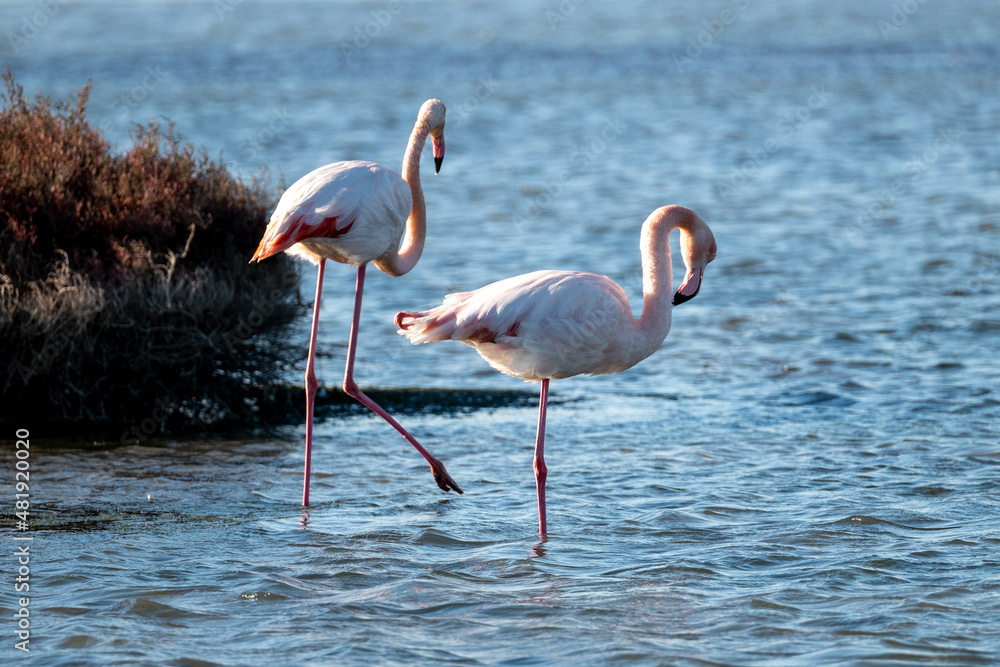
(125, 291)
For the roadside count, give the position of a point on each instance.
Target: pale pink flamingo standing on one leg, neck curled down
(556, 324)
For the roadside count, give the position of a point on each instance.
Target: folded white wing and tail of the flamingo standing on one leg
(545, 324)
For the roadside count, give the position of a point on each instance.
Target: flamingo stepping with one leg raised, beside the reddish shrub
(355, 212)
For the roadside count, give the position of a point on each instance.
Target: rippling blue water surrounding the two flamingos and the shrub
(806, 472)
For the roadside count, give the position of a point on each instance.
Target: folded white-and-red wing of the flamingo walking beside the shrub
(335, 202)
